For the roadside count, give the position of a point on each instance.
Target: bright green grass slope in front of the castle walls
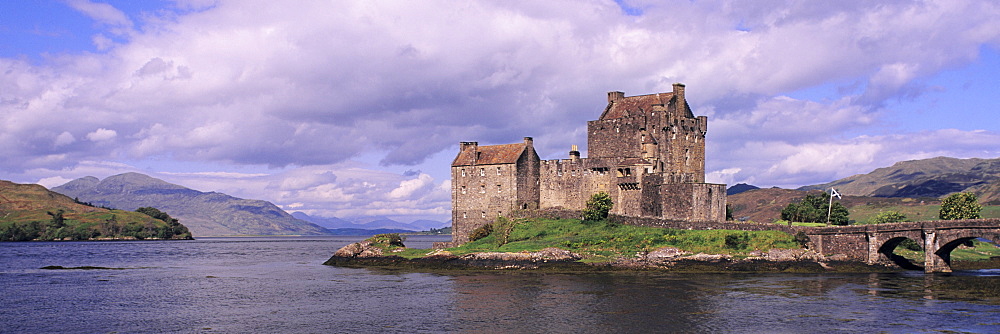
(598, 241)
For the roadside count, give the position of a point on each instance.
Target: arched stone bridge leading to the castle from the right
(874, 244)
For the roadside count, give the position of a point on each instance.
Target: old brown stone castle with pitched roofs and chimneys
(647, 152)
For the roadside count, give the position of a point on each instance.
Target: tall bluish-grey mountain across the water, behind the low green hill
(204, 213)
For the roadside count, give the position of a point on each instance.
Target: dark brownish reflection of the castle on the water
(579, 303)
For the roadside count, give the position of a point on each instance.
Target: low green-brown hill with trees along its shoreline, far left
(32, 212)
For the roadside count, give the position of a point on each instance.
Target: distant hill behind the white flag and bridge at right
(935, 177)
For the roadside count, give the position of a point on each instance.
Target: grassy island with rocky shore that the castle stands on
(599, 245)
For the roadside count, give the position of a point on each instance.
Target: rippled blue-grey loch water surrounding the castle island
(279, 285)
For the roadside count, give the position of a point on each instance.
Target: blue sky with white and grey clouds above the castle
(356, 108)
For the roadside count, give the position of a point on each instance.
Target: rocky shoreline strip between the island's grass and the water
(365, 254)
